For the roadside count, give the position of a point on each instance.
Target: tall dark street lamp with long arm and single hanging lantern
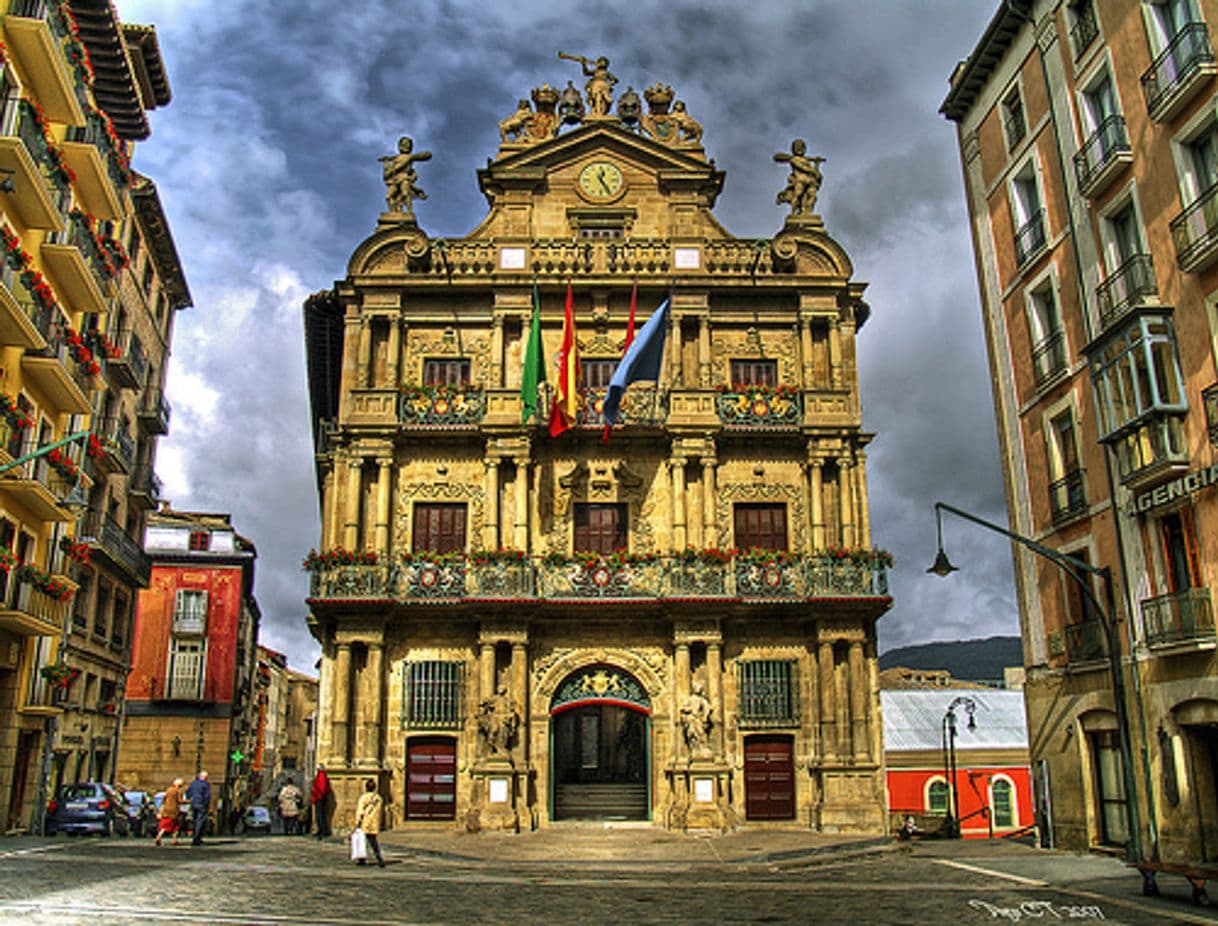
(1076, 570)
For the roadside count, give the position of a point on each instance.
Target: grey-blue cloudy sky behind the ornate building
(266, 163)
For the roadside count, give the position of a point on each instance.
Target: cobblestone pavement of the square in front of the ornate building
(578, 877)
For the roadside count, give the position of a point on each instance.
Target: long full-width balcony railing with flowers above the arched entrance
(792, 578)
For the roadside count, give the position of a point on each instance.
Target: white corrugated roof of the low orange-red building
(914, 719)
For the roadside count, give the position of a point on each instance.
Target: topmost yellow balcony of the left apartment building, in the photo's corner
(35, 32)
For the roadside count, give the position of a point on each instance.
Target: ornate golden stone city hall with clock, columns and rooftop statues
(677, 624)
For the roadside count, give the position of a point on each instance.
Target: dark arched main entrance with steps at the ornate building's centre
(600, 748)
